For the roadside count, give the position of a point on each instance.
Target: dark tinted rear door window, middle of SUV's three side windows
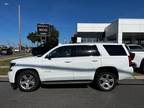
(85, 50)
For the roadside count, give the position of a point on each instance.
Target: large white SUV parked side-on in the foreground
(101, 64)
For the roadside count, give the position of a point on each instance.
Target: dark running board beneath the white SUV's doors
(68, 82)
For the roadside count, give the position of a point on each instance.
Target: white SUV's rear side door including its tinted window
(85, 61)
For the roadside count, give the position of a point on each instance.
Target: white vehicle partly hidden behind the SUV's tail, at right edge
(138, 52)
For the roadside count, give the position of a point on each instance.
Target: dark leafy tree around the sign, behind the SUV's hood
(50, 41)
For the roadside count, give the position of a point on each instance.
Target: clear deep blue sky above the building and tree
(63, 14)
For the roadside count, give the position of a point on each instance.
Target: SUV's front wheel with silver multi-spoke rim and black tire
(28, 81)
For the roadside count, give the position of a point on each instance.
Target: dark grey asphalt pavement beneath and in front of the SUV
(129, 94)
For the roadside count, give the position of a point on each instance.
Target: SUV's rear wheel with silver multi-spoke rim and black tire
(105, 80)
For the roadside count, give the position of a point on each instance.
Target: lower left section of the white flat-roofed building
(89, 32)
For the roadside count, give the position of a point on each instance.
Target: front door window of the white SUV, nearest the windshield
(64, 51)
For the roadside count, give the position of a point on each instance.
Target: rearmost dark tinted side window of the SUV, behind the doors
(115, 50)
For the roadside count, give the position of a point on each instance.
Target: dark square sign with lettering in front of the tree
(43, 29)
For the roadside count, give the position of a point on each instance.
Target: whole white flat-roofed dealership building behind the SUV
(130, 31)
